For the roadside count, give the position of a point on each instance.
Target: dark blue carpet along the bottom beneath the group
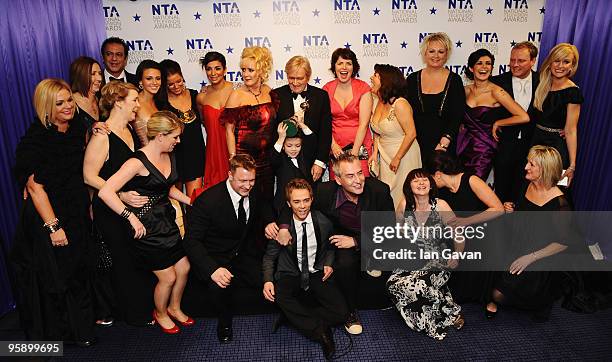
(510, 336)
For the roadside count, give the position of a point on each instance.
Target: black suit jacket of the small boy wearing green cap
(285, 171)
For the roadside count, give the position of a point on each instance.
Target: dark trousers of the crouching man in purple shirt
(347, 270)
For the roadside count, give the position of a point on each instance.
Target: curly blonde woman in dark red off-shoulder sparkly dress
(248, 116)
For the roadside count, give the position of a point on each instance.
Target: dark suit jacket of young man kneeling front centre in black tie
(282, 260)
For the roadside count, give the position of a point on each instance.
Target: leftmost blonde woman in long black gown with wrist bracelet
(50, 252)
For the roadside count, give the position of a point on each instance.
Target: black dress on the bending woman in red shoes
(161, 247)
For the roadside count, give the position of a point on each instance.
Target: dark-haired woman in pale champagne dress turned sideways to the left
(396, 151)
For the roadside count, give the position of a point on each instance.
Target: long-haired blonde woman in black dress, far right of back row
(559, 99)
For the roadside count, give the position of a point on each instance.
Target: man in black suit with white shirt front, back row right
(514, 141)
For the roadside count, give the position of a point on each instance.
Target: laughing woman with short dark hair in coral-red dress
(351, 106)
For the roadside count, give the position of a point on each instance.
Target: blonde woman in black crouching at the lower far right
(533, 240)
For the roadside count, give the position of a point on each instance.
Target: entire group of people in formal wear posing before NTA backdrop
(272, 197)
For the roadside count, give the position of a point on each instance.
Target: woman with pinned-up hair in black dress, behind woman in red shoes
(105, 153)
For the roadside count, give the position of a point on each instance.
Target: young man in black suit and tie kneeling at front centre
(305, 266)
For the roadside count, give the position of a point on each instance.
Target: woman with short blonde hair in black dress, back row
(436, 96)
